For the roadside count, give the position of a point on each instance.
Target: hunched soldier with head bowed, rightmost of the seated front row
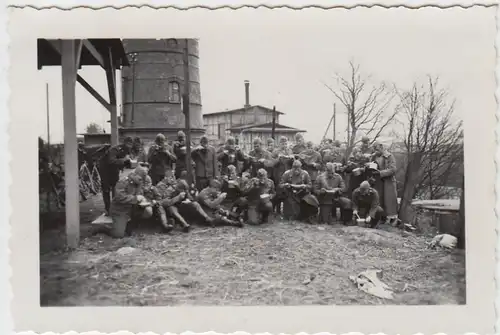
(365, 205)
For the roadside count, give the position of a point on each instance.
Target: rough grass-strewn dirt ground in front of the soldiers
(266, 265)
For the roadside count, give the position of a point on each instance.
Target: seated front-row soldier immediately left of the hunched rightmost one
(329, 188)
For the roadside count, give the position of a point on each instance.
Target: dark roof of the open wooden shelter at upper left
(49, 56)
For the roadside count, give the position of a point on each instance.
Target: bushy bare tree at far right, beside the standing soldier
(432, 140)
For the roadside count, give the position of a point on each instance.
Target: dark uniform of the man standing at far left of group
(110, 166)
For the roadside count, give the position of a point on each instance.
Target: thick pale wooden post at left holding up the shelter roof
(69, 68)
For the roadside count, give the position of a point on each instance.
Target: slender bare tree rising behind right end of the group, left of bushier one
(366, 106)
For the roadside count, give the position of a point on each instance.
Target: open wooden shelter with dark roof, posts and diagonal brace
(71, 55)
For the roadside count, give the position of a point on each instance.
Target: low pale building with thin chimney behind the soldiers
(246, 124)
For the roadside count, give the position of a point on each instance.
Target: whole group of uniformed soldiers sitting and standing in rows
(298, 181)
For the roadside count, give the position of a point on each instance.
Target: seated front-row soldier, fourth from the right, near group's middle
(260, 193)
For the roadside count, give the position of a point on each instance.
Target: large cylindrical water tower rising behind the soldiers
(152, 89)
